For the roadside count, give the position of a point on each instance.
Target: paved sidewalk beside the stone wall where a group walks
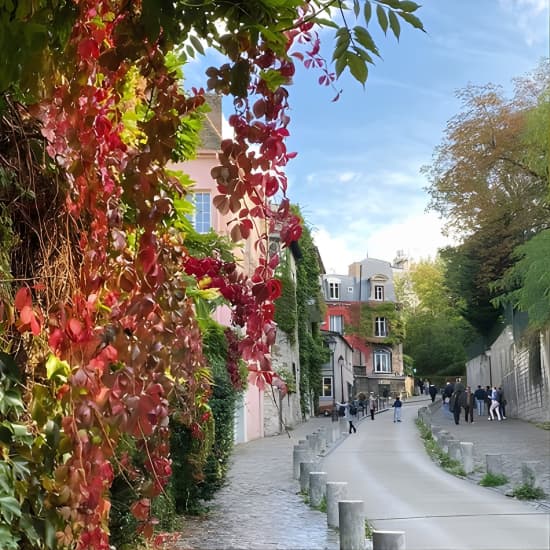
(516, 440)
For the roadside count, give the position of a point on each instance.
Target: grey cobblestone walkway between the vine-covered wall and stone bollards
(260, 508)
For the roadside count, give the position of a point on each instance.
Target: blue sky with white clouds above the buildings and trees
(357, 174)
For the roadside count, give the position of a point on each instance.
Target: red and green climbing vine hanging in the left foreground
(102, 302)
